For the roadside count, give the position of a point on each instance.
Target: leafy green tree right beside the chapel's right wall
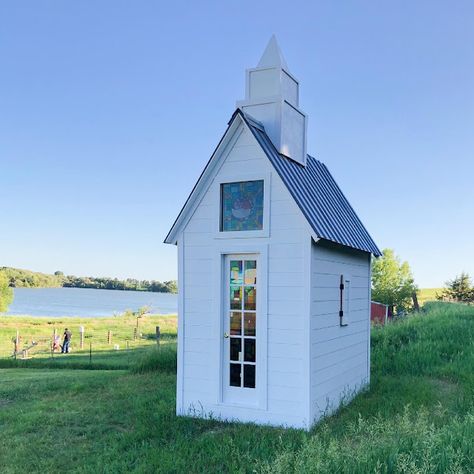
(392, 281)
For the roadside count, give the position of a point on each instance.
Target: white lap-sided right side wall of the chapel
(339, 355)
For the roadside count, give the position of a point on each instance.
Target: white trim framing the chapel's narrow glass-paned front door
(261, 250)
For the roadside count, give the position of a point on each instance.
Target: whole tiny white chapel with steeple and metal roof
(273, 271)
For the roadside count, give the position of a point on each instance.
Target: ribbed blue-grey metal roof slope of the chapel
(317, 194)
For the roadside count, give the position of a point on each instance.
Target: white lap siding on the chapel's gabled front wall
(285, 305)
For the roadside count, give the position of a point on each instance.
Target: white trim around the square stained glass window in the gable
(242, 234)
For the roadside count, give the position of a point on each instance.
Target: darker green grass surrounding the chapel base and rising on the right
(418, 415)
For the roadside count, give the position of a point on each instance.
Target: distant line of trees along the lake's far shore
(17, 278)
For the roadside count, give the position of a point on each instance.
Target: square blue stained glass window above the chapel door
(242, 206)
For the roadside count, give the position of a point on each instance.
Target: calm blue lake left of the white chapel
(87, 302)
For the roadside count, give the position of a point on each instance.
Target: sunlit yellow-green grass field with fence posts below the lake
(122, 330)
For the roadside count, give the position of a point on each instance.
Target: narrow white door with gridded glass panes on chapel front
(240, 329)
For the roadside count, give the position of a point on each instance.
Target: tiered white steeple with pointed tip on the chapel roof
(272, 98)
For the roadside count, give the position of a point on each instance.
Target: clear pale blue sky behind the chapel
(110, 109)
